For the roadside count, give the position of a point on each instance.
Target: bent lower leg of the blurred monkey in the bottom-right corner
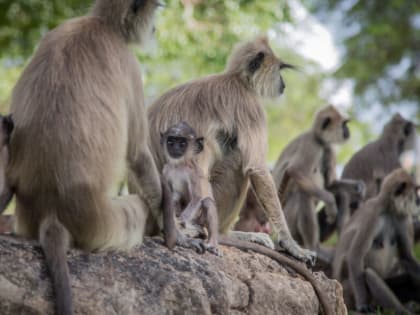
(382, 293)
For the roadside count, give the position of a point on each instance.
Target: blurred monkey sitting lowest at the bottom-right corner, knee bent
(374, 259)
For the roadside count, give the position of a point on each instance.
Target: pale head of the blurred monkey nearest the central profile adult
(330, 126)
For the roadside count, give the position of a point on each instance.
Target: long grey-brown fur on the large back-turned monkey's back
(70, 133)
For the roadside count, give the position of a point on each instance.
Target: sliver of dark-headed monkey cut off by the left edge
(6, 192)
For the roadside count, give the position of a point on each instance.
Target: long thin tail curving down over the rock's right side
(282, 259)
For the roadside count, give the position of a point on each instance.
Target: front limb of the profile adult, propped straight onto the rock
(265, 189)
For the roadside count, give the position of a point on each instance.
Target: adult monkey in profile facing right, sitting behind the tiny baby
(224, 109)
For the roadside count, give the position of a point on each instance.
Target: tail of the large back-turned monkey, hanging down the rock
(55, 240)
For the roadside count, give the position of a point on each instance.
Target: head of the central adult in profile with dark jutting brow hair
(258, 67)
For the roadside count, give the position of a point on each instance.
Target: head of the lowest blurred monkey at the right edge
(400, 189)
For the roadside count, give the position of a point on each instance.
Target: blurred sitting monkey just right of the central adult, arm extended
(304, 170)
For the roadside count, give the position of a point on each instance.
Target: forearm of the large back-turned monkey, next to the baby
(144, 180)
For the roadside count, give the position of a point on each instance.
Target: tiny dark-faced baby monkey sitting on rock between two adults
(187, 192)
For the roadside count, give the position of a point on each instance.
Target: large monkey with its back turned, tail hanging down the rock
(80, 127)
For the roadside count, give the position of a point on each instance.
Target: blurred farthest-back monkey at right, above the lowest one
(378, 158)
